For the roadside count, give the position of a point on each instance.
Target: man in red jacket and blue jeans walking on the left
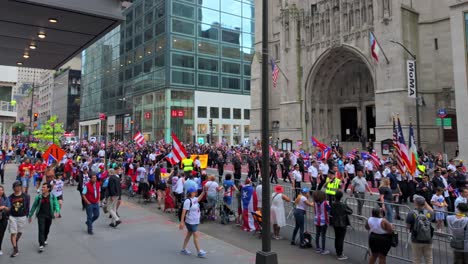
(91, 195)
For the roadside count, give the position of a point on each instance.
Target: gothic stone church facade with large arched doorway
(330, 87)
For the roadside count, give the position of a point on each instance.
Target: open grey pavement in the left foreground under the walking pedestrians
(143, 237)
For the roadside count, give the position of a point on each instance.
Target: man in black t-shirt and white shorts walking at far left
(18, 215)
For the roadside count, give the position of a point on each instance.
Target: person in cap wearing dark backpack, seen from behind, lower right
(418, 222)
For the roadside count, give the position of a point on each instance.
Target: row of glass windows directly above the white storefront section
(209, 81)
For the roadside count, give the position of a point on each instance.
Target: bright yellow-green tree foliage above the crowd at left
(45, 134)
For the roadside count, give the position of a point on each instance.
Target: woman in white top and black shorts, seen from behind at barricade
(380, 238)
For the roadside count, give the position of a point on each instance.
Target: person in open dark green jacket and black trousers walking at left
(46, 208)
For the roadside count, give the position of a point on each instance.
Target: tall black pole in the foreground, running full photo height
(265, 256)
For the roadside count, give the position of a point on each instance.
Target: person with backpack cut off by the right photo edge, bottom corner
(457, 225)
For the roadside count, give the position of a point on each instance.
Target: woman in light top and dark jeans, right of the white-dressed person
(301, 202)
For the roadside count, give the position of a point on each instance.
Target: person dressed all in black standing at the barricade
(339, 219)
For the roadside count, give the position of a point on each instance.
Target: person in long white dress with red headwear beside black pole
(277, 215)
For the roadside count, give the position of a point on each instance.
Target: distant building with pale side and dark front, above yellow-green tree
(66, 99)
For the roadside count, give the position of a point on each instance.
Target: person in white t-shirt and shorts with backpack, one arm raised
(190, 218)
